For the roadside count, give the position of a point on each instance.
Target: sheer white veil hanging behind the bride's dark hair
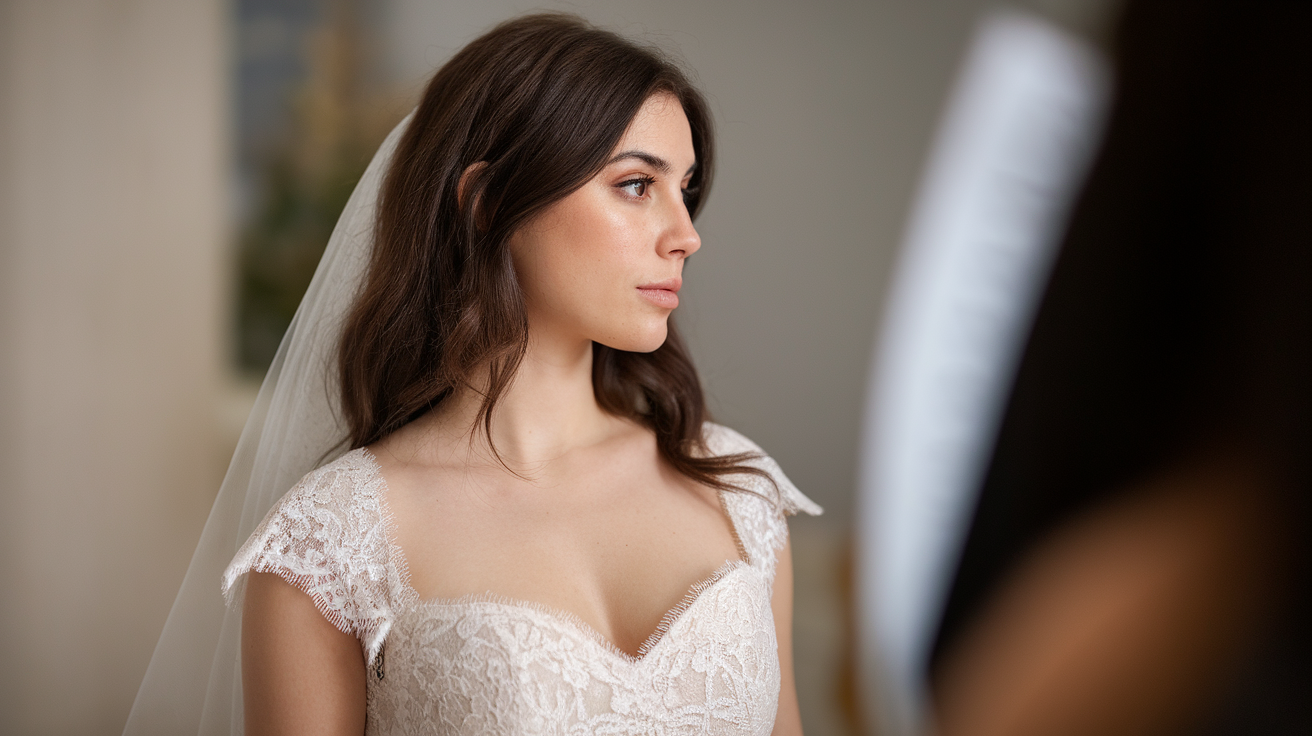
(194, 684)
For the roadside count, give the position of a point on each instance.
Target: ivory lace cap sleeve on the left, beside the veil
(330, 537)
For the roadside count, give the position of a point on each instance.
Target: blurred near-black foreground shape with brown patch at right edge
(1138, 560)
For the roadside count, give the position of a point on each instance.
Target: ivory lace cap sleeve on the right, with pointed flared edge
(759, 520)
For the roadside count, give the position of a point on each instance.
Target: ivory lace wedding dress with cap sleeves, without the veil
(483, 664)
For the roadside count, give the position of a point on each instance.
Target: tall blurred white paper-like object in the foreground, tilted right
(1015, 144)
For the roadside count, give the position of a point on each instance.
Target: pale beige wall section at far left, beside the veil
(112, 234)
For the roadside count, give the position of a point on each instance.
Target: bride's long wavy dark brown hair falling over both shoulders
(541, 102)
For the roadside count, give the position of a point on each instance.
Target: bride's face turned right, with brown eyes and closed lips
(607, 262)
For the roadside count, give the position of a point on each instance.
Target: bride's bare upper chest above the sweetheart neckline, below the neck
(616, 549)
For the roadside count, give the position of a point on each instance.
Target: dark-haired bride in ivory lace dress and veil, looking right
(533, 528)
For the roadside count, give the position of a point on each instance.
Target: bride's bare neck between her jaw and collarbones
(548, 411)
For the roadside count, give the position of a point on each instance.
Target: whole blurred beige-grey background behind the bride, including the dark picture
(170, 171)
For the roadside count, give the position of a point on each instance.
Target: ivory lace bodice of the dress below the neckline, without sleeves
(487, 666)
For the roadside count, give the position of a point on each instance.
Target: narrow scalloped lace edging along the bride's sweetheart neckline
(413, 599)
